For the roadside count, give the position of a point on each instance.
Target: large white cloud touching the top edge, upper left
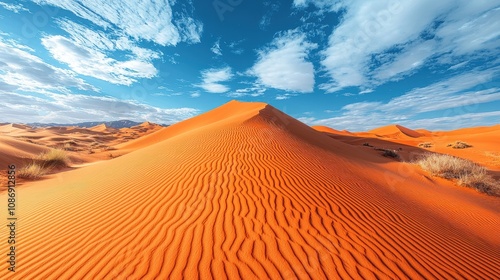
(149, 20)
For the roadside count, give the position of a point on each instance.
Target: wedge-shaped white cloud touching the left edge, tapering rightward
(21, 70)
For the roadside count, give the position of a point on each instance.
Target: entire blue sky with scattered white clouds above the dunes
(352, 65)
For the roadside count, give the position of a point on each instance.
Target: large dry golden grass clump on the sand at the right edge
(465, 172)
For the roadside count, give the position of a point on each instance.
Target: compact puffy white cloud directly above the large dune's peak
(284, 64)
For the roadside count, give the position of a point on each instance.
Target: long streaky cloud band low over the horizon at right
(456, 98)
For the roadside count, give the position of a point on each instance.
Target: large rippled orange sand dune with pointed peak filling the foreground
(245, 191)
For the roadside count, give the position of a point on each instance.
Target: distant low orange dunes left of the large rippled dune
(19, 144)
